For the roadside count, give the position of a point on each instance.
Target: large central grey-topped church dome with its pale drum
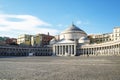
(72, 32)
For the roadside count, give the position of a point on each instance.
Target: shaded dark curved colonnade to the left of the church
(20, 51)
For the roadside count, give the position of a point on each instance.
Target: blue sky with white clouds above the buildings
(42, 16)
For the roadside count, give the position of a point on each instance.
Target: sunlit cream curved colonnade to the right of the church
(108, 48)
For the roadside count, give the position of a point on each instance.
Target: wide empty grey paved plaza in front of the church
(60, 68)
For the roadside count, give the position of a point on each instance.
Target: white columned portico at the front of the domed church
(64, 49)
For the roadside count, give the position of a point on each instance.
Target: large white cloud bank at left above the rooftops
(14, 25)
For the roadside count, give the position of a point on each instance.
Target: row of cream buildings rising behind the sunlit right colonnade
(106, 37)
